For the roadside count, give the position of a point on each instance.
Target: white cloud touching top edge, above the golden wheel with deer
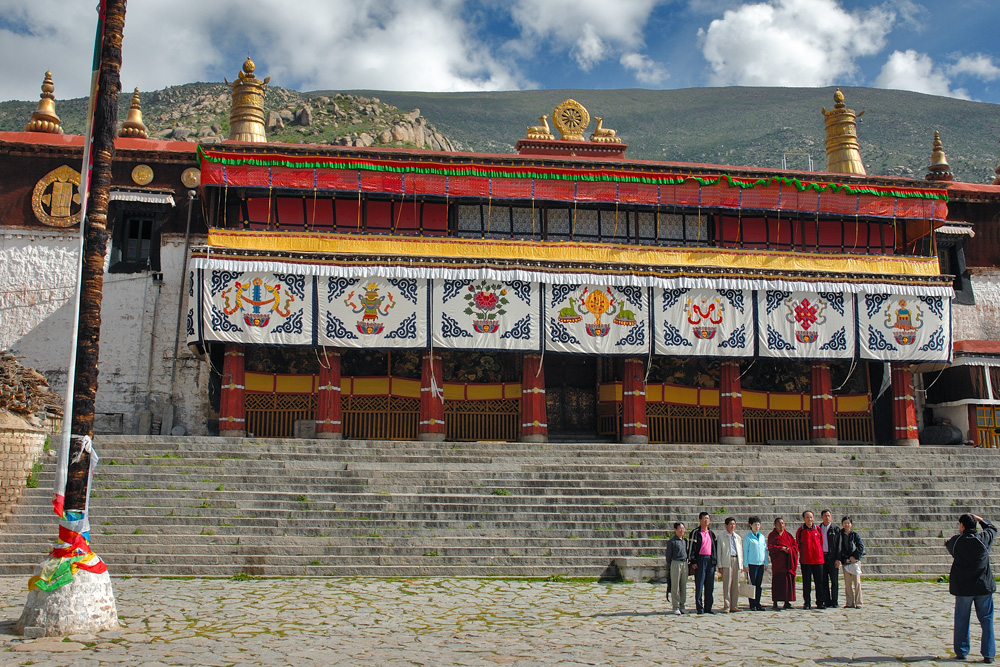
(590, 30)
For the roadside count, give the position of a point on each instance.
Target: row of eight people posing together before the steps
(819, 550)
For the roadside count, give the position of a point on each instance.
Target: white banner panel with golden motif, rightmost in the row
(896, 327)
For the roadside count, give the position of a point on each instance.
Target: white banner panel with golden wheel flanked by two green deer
(596, 319)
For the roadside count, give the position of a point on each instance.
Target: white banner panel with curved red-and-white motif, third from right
(691, 322)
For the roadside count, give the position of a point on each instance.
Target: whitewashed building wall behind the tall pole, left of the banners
(138, 329)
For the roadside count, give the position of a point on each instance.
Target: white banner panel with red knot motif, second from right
(805, 325)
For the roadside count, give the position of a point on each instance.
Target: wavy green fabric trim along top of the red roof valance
(799, 185)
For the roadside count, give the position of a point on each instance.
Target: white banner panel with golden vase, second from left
(374, 312)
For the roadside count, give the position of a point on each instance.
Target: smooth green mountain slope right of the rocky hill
(737, 126)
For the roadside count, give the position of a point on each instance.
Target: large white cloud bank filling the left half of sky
(337, 44)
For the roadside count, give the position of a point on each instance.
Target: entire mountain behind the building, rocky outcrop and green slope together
(730, 126)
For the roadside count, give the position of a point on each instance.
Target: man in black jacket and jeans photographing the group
(971, 582)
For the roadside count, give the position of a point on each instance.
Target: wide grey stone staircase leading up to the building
(218, 506)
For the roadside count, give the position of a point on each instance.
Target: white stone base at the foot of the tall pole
(84, 606)
